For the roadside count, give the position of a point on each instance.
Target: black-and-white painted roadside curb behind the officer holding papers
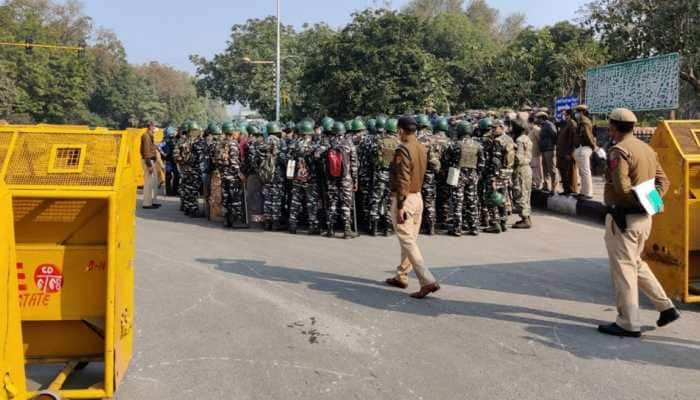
(585, 209)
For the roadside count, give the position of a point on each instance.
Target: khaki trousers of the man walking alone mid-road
(411, 257)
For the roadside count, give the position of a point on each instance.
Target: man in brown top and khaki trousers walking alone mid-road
(406, 181)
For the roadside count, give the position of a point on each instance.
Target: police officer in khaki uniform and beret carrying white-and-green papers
(627, 227)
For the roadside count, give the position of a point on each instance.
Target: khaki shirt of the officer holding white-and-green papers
(631, 162)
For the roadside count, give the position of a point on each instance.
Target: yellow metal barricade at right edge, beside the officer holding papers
(673, 250)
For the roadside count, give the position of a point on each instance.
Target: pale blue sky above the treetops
(169, 31)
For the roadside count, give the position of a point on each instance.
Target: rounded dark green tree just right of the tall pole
(378, 63)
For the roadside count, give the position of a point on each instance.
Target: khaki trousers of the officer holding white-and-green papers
(629, 272)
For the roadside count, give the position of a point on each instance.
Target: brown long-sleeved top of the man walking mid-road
(408, 169)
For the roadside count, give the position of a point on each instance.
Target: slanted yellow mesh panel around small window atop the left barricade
(31, 158)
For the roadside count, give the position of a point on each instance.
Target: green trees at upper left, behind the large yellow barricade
(96, 87)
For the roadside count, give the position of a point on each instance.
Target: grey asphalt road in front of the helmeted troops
(255, 315)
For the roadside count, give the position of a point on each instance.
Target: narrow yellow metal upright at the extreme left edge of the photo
(12, 381)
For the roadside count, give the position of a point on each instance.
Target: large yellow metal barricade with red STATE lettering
(73, 199)
